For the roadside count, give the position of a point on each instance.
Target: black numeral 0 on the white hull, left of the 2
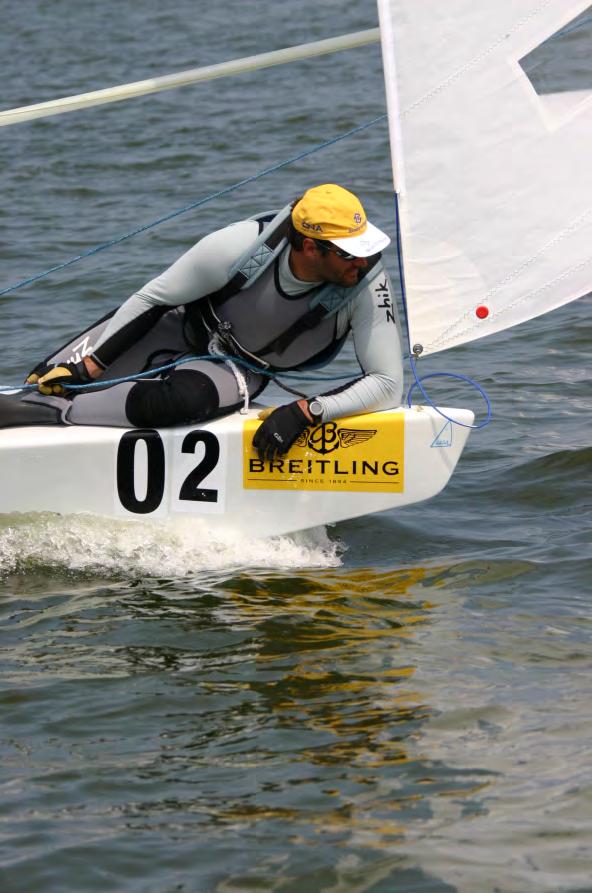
(126, 455)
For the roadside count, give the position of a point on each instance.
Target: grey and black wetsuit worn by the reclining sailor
(152, 327)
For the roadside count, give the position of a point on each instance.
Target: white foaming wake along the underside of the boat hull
(176, 548)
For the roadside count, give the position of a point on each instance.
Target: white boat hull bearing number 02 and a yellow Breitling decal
(348, 468)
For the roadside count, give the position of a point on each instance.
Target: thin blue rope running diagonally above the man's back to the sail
(202, 201)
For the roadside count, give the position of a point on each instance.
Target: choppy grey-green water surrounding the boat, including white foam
(397, 703)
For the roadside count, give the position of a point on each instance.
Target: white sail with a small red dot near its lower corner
(493, 171)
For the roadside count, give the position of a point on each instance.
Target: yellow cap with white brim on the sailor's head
(334, 214)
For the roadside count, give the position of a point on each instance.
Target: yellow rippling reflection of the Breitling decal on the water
(335, 713)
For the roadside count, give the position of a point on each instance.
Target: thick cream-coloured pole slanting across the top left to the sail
(191, 76)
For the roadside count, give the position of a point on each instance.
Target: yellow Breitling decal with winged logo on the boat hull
(357, 454)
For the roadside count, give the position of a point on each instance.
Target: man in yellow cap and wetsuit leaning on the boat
(278, 293)
